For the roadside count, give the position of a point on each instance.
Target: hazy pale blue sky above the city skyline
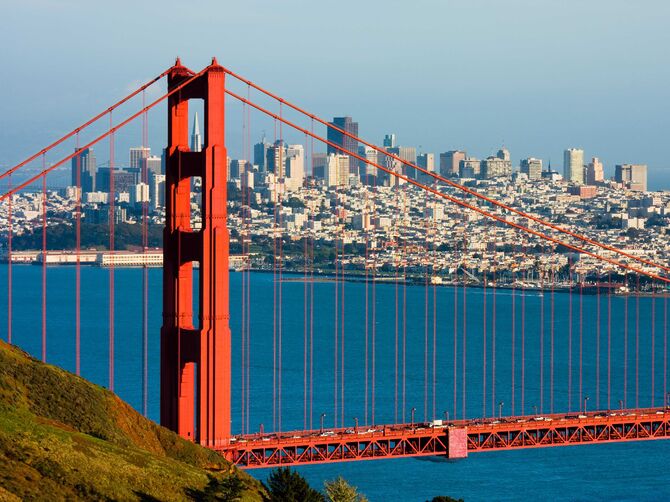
(538, 76)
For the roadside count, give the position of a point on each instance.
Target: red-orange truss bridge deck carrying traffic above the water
(454, 440)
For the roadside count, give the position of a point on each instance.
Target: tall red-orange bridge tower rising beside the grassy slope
(195, 349)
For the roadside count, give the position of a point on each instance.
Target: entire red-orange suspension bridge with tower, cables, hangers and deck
(196, 351)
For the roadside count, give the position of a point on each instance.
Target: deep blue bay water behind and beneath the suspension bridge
(632, 471)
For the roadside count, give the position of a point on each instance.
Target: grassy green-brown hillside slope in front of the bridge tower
(62, 437)
